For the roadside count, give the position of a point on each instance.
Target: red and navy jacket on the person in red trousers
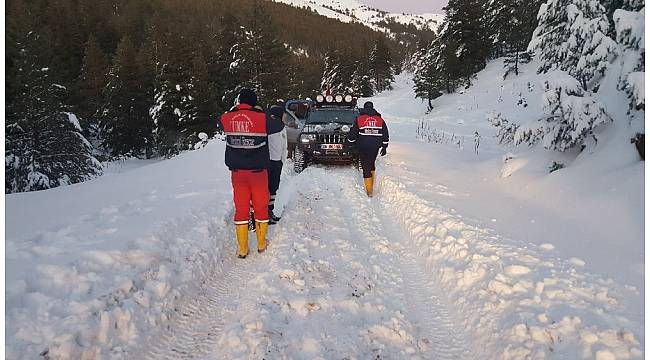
(247, 133)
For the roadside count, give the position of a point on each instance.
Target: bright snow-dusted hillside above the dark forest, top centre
(355, 11)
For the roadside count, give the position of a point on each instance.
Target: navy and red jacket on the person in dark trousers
(369, 130)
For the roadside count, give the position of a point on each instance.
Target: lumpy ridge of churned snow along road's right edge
(520, 302)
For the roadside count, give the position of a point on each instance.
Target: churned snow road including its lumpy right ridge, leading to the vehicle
(392, 277)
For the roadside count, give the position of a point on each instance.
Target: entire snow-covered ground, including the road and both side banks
(458, 255)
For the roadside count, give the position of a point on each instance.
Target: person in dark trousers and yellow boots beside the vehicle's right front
(370, 133)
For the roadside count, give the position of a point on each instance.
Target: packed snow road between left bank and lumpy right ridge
(339, 281)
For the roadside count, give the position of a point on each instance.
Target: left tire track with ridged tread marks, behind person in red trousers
(196, 327)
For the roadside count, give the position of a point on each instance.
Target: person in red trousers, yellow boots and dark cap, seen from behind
(247, 157)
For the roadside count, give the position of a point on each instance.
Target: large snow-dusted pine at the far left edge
(44, 146)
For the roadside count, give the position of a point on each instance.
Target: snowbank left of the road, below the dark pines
(93, 267)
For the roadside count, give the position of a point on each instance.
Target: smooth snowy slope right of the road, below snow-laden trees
(591, 209)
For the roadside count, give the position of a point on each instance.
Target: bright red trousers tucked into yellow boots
(250, 186)
